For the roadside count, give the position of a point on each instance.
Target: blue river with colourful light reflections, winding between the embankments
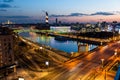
(67, 46)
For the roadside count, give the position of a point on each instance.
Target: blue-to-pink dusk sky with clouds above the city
(31, 11)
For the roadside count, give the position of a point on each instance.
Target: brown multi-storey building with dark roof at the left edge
(6, 47)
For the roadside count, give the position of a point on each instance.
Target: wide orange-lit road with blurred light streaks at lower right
(87, 68)
